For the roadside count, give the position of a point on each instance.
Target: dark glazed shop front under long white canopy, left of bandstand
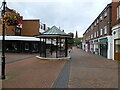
(21, 44)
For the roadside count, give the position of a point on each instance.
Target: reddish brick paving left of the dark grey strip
(31, 73)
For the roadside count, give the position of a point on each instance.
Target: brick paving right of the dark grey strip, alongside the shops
(91, 71)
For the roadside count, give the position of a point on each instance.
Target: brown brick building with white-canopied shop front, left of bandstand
(20, 38)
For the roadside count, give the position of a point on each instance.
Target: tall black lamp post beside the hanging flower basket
(3, 42)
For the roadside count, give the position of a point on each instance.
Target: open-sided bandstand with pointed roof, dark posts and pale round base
(58, 44)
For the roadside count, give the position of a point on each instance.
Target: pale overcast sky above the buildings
(70, 15)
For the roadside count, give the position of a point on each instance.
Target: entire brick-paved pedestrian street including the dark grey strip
(84, 70)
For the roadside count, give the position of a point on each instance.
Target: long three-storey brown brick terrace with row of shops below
(98, 38)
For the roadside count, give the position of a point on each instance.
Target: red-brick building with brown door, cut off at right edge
(116, 33)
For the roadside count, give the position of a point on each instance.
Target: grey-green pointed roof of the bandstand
(53, 32)
